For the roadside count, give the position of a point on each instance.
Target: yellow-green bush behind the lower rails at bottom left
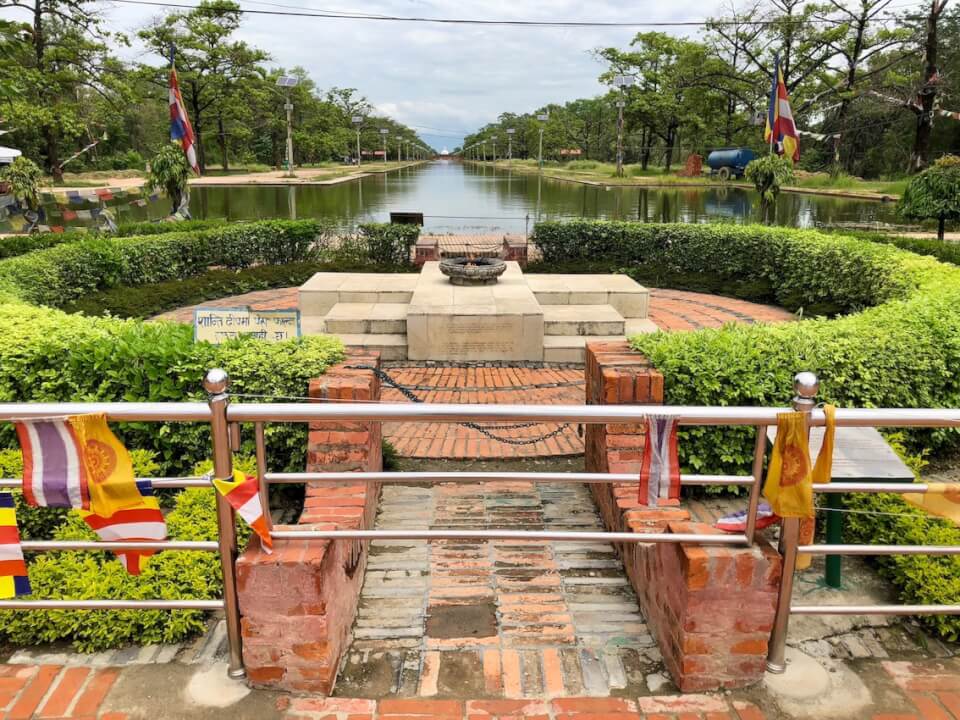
(80, 575)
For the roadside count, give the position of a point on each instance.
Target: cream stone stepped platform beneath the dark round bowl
(422, 316)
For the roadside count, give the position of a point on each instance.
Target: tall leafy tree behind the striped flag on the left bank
(211, 67)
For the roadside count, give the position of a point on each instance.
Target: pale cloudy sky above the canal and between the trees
(443, 80)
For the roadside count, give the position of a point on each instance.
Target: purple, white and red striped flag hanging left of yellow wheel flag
(54, 474)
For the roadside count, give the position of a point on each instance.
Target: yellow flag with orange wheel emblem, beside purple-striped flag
(108, 464)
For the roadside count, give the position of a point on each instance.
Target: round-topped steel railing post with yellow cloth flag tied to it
(805, 385)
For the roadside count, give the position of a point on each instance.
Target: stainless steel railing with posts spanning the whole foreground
(225, 420)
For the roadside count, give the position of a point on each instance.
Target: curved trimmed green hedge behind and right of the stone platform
(803, 269)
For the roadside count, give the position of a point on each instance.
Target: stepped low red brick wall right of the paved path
(710, 608)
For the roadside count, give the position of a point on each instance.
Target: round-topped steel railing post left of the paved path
(216, 382)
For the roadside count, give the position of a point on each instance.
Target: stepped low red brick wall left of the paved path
(298, 604)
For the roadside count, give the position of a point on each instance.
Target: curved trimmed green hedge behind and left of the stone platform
(62, 273)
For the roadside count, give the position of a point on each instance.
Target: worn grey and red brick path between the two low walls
(496, 619)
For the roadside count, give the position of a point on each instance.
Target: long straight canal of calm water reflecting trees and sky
(458, 198)
